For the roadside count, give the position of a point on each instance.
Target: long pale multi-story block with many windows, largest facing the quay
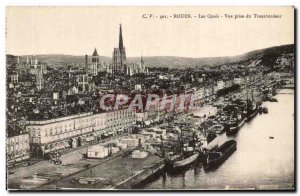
(76, 130)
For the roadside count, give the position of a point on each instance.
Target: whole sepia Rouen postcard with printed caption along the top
(150, 98)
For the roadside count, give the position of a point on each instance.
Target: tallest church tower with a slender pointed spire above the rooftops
(119, 57)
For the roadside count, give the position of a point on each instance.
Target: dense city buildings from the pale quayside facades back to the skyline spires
(61, 114)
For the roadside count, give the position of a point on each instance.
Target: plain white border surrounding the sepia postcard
(111, 3)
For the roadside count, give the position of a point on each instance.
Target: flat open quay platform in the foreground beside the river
(117, 172)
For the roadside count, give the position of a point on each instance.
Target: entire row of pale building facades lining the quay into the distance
(47, 135)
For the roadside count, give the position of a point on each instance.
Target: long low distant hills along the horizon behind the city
(267, 55)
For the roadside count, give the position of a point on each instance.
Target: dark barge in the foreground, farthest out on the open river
(220, 154)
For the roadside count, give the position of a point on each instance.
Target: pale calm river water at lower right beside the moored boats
(258, 163)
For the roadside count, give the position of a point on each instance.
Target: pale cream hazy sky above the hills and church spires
(78, 30)
